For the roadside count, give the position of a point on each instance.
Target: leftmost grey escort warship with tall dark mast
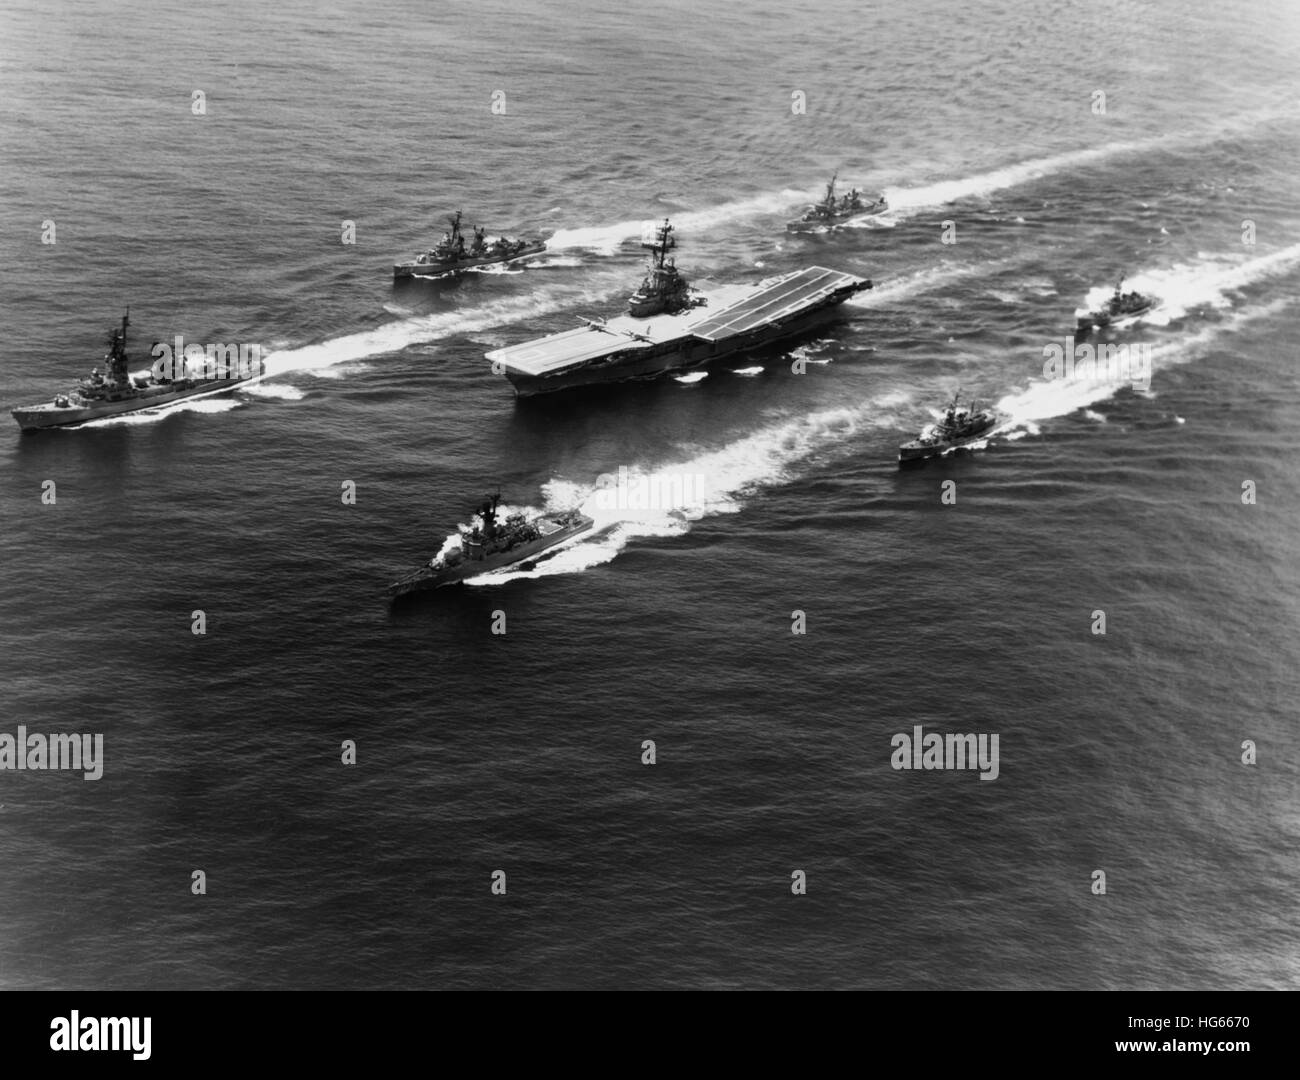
(115, 391)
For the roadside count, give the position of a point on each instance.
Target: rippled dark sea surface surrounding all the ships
(523, 752)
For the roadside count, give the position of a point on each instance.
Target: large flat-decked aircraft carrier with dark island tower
(670, 327)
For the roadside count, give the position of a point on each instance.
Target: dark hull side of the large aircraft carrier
(681, 355)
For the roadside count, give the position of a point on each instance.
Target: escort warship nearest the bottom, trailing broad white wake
(489, 545)
